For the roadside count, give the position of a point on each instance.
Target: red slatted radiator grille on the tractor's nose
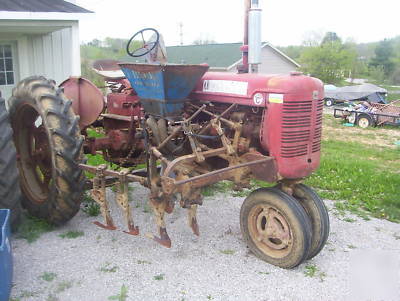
(297, 134)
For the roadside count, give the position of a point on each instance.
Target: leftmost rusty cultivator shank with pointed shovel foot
(99, 195)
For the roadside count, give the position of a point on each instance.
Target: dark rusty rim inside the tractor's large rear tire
(35, 160)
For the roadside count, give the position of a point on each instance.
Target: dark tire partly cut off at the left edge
(10, 194)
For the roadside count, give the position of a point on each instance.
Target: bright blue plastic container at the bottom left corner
(6, 265)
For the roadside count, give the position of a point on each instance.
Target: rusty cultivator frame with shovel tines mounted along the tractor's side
(175, 176)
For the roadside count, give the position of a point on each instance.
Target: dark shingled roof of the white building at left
(58, 6)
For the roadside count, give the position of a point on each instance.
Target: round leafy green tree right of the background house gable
(330, 62)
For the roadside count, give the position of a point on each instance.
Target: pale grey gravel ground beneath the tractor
(215, 266)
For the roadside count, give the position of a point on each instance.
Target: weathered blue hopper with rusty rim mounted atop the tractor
(163, 88)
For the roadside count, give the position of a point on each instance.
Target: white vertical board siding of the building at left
(53, 53)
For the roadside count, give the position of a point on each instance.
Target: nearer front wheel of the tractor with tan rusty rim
(275, 227)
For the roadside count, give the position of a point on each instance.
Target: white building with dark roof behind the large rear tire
(38, 37)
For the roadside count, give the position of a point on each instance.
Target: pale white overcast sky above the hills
(285, 22)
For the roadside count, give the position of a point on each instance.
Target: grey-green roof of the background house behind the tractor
(216, 55)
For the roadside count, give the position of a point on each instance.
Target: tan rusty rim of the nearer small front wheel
(270, 231)
